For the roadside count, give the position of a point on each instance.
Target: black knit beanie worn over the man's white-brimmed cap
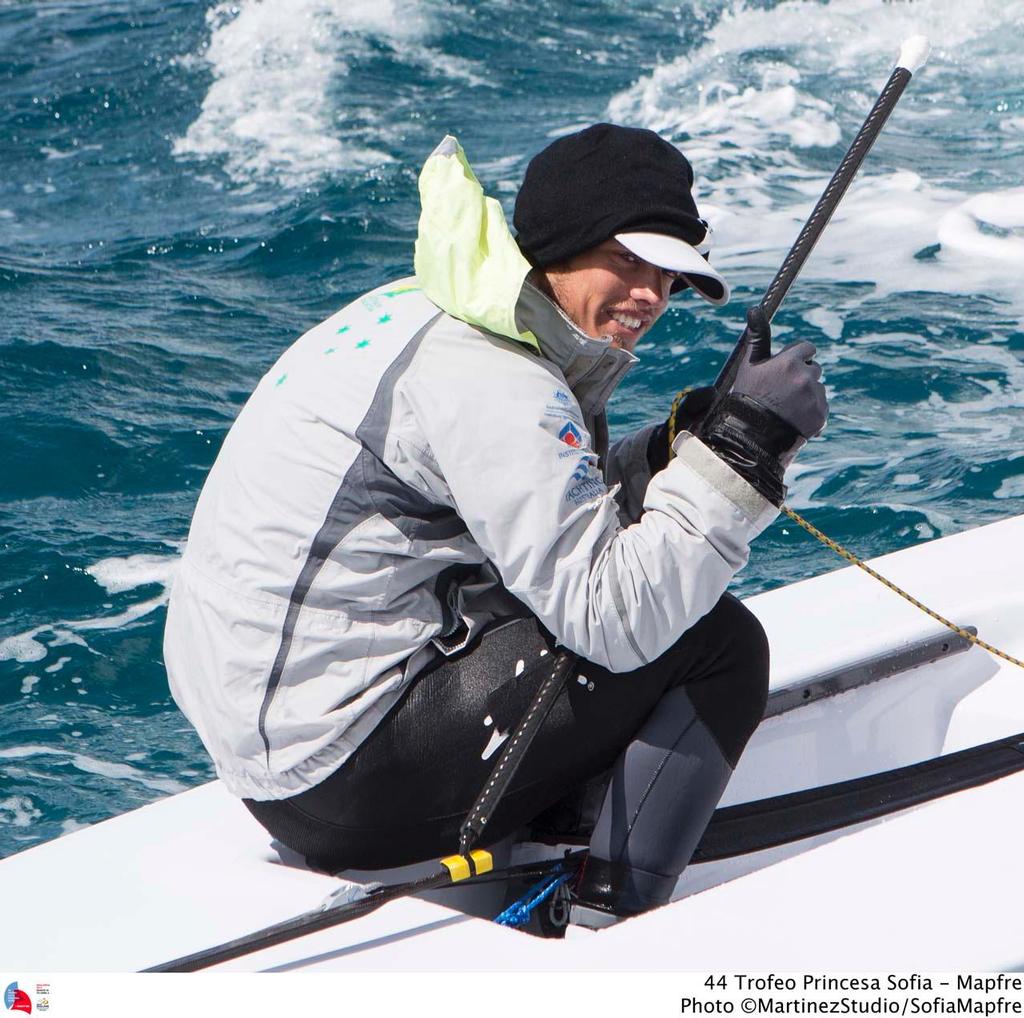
(604, 181)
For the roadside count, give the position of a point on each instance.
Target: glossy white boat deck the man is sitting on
(934, 888)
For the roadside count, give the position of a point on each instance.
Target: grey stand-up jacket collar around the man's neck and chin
(592, 367)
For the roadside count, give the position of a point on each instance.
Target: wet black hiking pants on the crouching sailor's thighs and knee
(403, 795)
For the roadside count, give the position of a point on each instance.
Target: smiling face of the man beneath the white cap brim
(611, 293)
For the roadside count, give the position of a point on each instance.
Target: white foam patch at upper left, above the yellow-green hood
(276, 110)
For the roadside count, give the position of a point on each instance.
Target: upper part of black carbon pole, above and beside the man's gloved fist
(823, 213)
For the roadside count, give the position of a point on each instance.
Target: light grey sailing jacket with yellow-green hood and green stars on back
(418, 465)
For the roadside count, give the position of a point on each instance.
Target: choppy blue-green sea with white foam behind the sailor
(187, 188)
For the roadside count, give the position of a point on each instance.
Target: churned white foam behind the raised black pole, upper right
(769, 89)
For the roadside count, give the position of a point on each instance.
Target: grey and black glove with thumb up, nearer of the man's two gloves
(776, 405)
